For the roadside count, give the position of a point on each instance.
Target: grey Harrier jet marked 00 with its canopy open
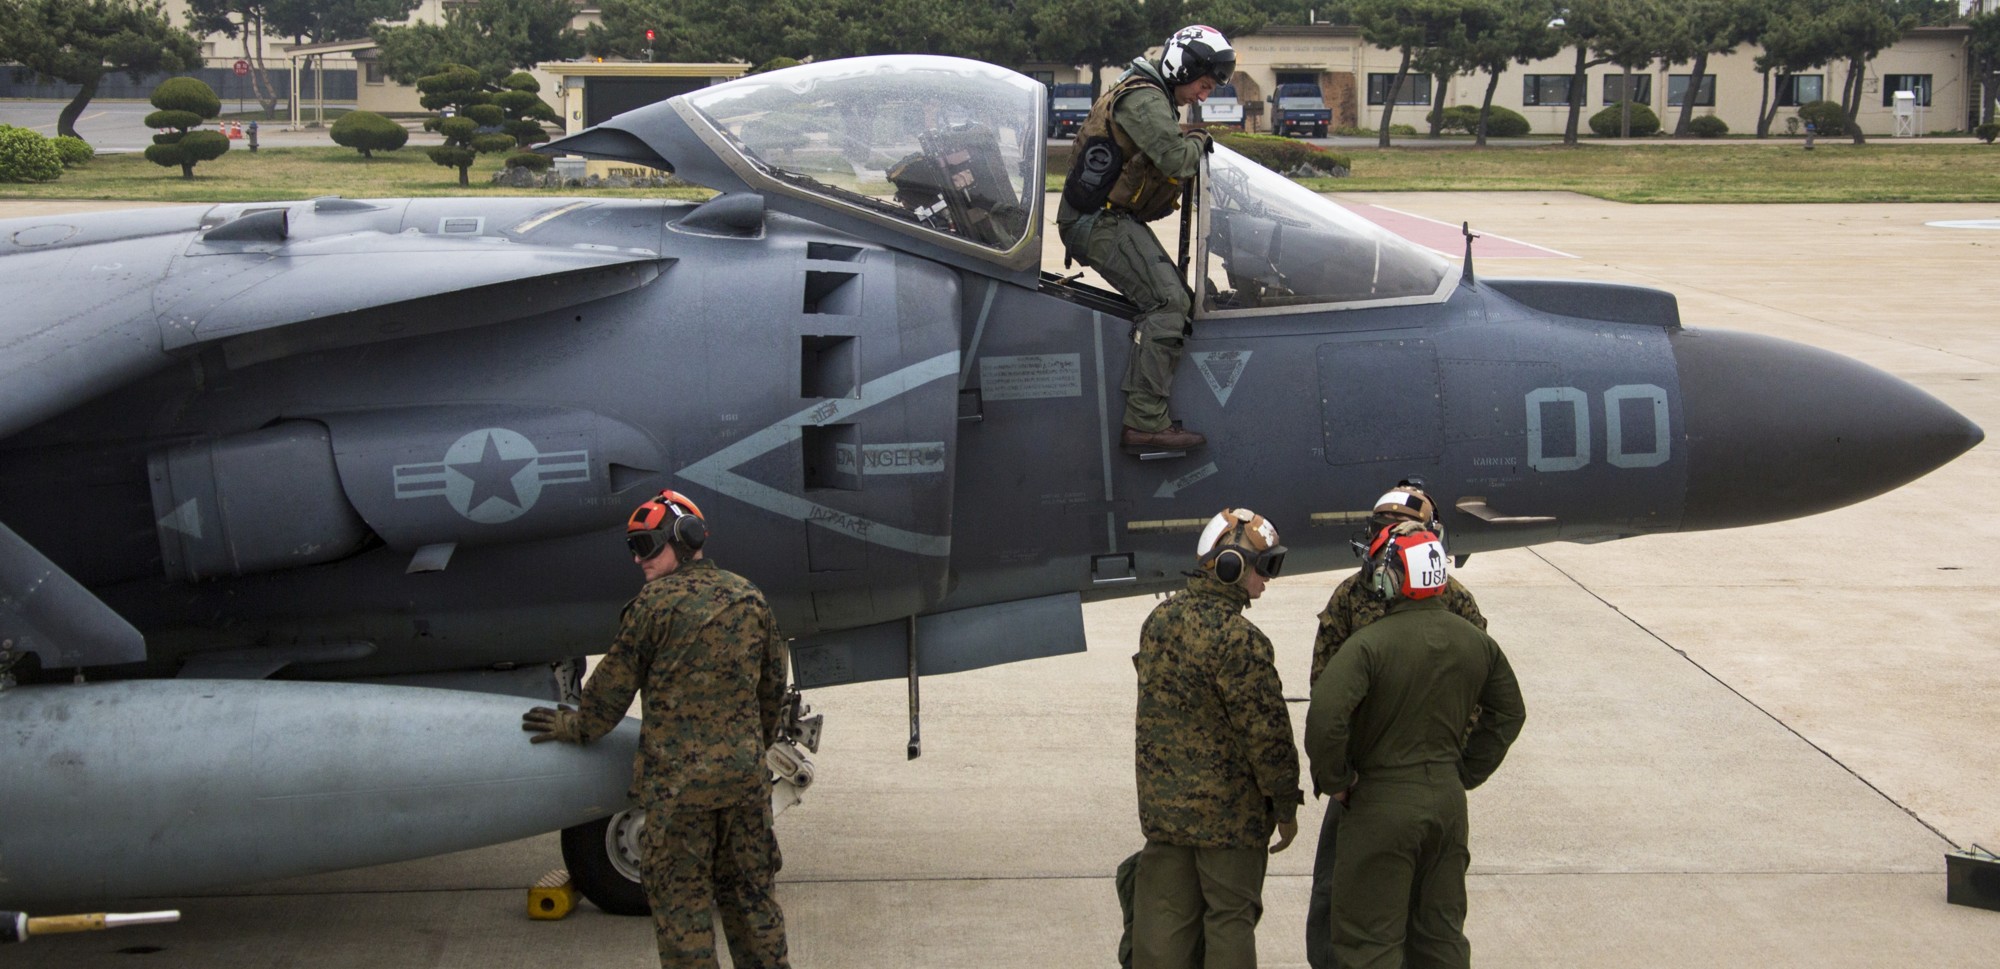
(267, 469)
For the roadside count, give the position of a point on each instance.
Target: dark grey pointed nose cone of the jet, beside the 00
(1781, 429)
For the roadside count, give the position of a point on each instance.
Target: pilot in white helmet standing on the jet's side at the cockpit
(1129, 169)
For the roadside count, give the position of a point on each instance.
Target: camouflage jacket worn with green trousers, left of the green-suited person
(1217, 764)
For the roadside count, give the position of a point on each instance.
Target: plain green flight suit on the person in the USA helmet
(1391, 712)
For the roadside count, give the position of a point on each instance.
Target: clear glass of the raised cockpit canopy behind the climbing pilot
(917, 143)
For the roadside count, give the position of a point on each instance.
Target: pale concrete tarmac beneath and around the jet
(1743, 748)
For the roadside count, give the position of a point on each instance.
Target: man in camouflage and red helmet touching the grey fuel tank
(705, 652)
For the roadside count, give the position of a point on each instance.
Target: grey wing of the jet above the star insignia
(151, 287)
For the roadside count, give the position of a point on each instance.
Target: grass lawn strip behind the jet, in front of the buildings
(1653, 173)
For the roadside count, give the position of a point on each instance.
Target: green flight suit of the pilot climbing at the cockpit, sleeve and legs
(1131, 257)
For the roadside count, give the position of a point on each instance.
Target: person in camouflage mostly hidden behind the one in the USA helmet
(1349, 610)
